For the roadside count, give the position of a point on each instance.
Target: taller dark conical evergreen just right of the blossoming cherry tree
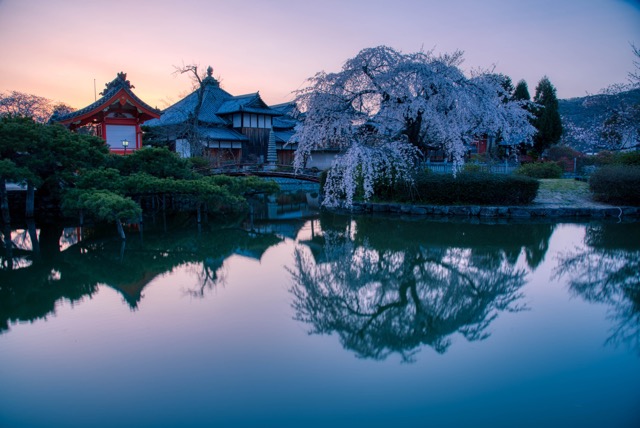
(547, 118)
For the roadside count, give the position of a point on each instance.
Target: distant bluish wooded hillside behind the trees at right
(591, 111)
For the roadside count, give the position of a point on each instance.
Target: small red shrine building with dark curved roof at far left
(116, 117)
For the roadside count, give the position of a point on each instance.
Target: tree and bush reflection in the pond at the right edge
(607, 270)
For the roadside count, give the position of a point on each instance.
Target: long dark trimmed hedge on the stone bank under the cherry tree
(469, 188)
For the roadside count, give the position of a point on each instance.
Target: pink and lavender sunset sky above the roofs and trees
(56, 49)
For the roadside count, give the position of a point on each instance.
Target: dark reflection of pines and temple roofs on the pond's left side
(67, 265)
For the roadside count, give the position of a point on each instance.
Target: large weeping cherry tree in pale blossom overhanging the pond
(385, 109)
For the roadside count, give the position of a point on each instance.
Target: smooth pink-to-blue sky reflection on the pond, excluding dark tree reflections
(236, 358)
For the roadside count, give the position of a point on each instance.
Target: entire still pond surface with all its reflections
(326, 321)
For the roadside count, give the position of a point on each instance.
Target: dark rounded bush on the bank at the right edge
(616, 184)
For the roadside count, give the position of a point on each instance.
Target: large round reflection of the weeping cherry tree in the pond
(382, 300)
